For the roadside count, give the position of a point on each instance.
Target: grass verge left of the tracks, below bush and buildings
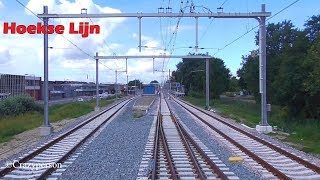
(12, 125)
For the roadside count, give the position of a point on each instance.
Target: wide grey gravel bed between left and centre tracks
(117, 152)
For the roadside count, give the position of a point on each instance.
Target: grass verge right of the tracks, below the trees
(304, 135)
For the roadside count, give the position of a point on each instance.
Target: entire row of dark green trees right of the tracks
(293, 70)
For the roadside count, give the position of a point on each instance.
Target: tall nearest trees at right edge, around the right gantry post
(293, 68)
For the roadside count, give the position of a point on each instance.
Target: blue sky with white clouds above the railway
(70, 55)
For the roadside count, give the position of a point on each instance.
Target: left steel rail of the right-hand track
(262, 162)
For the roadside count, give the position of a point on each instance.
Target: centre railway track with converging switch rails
(178, 154)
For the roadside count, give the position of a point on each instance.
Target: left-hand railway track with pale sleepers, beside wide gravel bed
(44, 160)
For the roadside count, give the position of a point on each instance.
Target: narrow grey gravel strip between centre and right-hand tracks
(222, 152)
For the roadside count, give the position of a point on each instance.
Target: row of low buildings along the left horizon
(12, 85)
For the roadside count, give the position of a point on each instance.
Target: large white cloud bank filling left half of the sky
(68, 62)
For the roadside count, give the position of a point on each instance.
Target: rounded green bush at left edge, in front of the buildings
(17, 105)
